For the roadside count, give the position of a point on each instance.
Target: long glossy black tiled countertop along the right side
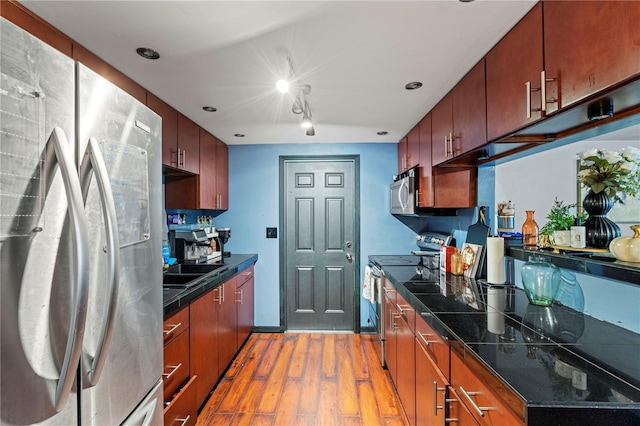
(551, 357)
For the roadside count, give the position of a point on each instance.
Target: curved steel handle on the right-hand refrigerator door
(93, 160)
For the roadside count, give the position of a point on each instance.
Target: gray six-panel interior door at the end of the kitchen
(319, 257)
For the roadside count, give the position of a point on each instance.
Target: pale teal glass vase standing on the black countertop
(541, 281)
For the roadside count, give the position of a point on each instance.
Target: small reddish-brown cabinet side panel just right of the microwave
(455, 187)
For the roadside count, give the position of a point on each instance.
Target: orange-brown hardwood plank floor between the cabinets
(305, 379)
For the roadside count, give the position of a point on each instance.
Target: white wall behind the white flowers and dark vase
(533, 182)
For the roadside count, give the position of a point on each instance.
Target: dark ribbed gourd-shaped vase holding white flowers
(600, 230)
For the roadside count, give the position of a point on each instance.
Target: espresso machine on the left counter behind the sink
(192, 246)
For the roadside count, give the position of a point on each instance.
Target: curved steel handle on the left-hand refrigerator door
(78, 223)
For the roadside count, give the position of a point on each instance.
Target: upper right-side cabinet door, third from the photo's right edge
(470, 111)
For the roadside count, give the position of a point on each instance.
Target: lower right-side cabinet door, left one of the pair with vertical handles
(431, 389)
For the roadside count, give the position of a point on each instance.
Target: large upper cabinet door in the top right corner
(590, 46)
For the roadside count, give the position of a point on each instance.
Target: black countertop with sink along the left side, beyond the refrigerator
(175, 298)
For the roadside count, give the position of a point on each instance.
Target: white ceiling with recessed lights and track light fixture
(356, 55)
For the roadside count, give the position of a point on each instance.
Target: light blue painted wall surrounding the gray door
(254, 206)
